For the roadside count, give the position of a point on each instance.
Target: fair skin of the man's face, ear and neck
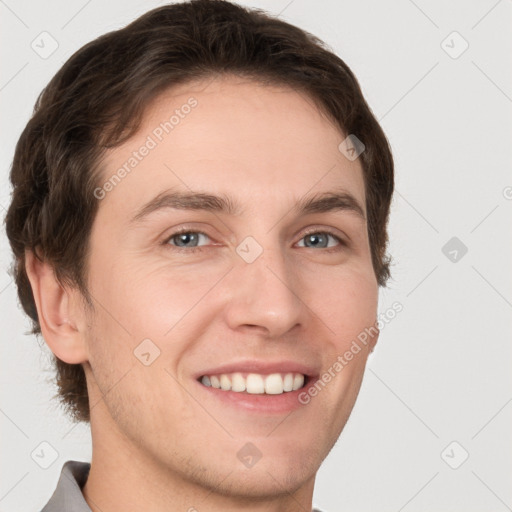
(160, 442)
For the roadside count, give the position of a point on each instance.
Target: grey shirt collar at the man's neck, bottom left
(68, 496)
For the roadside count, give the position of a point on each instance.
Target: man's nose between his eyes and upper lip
(264, 296)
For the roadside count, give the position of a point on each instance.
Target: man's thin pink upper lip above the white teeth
(263, 367)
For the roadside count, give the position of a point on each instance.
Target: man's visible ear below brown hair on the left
(58, 310)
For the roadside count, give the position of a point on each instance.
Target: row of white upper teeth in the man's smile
(254, 383)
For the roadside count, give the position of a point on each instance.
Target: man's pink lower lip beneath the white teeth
(260, 403)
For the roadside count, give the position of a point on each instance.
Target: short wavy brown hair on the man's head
(97, 99)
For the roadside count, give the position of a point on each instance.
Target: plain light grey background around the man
(441, 370)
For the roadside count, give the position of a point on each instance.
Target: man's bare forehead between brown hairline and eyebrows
(234, 137)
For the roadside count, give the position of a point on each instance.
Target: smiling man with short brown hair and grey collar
(199, 217)
